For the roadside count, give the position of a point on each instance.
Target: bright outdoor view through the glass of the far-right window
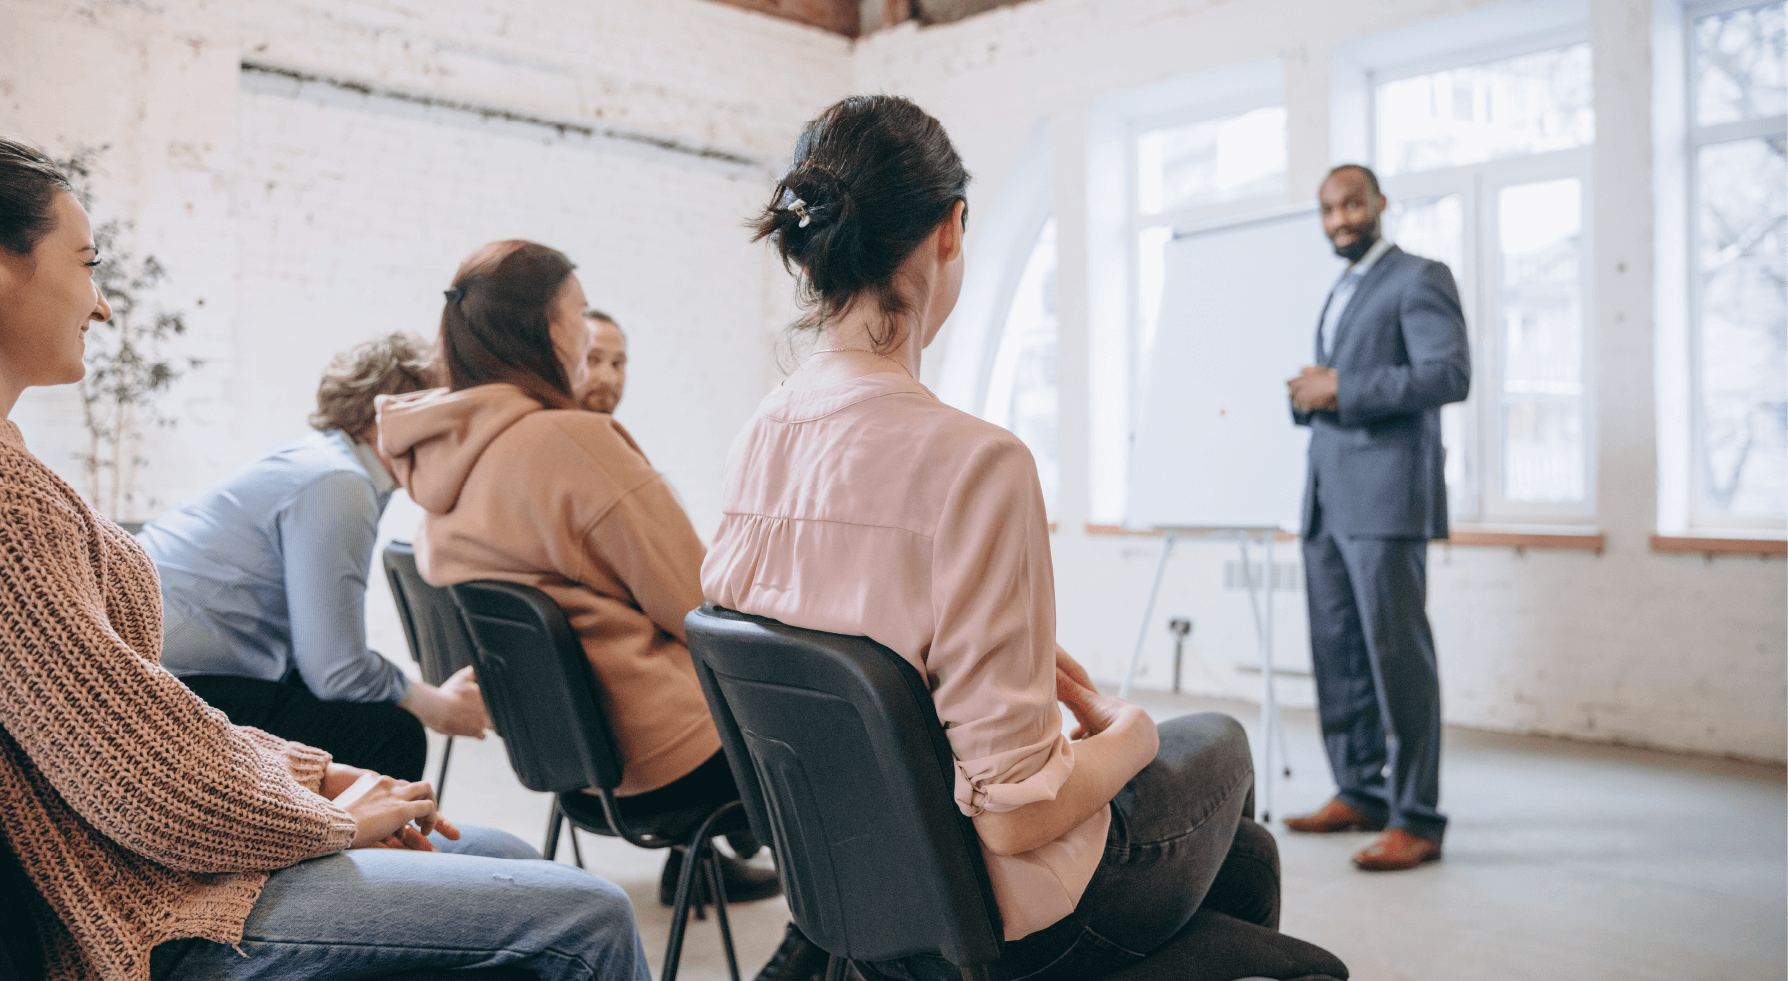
(1739, 262)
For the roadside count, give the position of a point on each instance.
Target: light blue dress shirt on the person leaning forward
(267, 573)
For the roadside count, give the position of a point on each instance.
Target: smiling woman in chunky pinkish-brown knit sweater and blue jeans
(153, 839)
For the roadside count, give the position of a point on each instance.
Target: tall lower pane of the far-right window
(1744, 326)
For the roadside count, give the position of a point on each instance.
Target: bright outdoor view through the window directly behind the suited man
(1487, 169)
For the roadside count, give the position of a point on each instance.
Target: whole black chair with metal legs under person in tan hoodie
(548, 707)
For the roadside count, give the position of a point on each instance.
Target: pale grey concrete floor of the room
(1564, 862)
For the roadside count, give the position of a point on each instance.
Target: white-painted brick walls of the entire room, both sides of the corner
(299, 224)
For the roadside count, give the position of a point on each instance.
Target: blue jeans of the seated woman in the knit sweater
(375, 912)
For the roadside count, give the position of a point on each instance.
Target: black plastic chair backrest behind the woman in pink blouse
(845, 769)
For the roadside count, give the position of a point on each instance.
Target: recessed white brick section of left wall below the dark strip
(351, 222)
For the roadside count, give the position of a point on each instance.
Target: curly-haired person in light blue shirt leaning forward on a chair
(264, 585)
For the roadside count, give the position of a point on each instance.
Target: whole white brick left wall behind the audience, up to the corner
(298, 221)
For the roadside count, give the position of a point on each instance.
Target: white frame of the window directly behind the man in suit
(1480, 185)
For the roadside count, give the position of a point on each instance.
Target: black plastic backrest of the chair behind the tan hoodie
(543, 696)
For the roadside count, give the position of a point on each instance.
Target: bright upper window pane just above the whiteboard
(1213, 160)
